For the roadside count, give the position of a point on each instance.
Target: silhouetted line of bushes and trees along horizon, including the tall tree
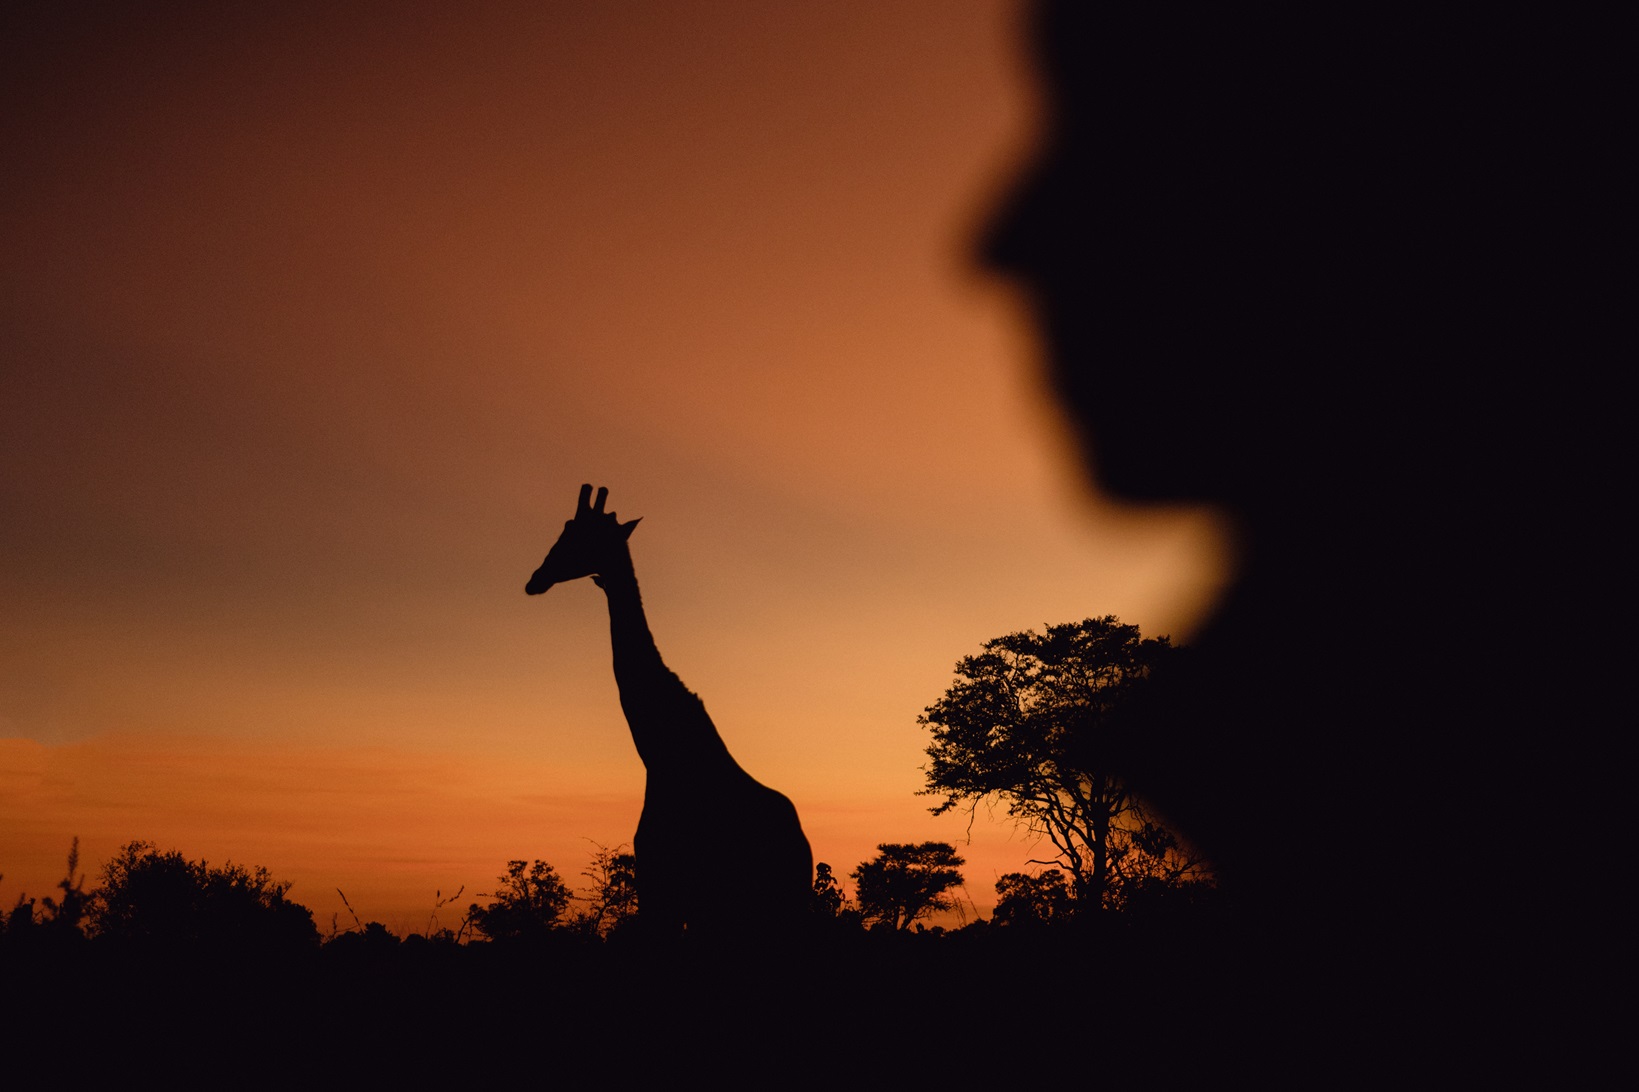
(1033, 722)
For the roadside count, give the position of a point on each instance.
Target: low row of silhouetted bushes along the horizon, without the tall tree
(165, 901)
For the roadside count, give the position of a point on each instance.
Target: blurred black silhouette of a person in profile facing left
(1327, 270)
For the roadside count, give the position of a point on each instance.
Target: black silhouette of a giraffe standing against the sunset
(717, 852)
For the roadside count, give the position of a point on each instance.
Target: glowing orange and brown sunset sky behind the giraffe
(316, 322)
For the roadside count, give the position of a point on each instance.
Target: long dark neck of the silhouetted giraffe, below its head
(670, 726)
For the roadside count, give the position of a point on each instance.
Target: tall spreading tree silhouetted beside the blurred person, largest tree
(1038, 721)
